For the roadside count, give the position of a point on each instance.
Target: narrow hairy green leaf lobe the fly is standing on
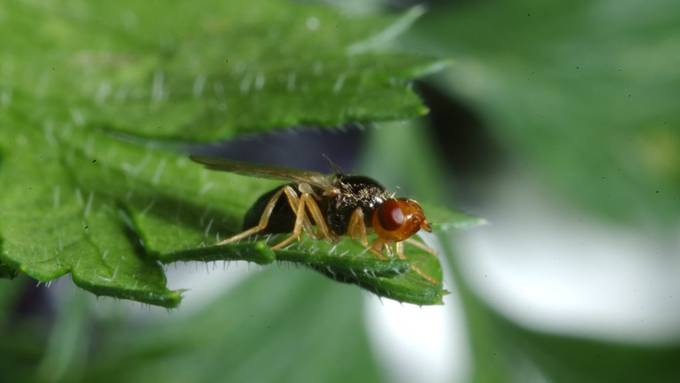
(187, 220)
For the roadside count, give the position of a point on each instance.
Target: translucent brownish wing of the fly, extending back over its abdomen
(324, 181)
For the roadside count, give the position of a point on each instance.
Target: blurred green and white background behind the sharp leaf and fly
(558, 122)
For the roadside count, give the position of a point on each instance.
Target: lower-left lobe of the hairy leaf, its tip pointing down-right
(50, 226)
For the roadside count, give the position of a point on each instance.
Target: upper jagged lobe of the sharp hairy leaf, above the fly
(206, 70)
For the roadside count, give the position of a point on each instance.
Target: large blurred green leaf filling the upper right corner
(585, 92)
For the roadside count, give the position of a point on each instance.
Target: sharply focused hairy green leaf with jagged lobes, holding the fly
(110, 208)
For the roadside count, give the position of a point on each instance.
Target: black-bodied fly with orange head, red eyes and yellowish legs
(328, 206)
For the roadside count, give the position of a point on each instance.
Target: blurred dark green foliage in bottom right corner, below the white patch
(504, 351)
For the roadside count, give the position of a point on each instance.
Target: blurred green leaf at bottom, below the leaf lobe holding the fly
(274, 327)
